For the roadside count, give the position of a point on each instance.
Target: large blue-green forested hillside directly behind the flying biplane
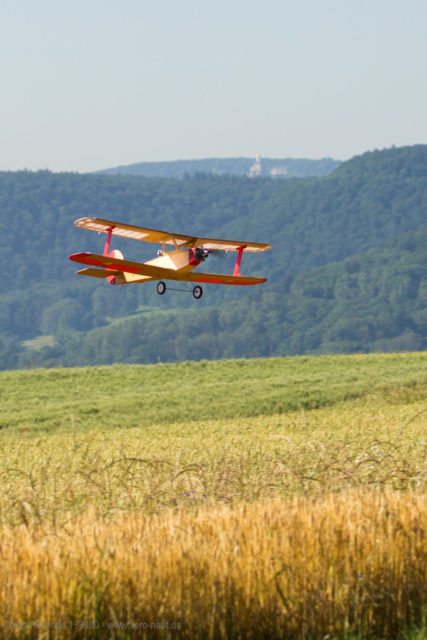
(347, 272)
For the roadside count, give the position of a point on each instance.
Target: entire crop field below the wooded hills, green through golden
(126, 488)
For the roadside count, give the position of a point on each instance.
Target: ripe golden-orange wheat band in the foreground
(354, 562)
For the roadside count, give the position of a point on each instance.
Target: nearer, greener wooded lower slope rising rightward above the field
(373, 302)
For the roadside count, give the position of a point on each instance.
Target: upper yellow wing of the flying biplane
(175, 239)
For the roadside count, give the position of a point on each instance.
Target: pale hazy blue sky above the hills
(91, 84)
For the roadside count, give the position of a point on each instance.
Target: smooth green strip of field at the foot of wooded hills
(130, 396)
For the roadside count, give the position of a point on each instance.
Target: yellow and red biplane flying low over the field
(176, 264)
